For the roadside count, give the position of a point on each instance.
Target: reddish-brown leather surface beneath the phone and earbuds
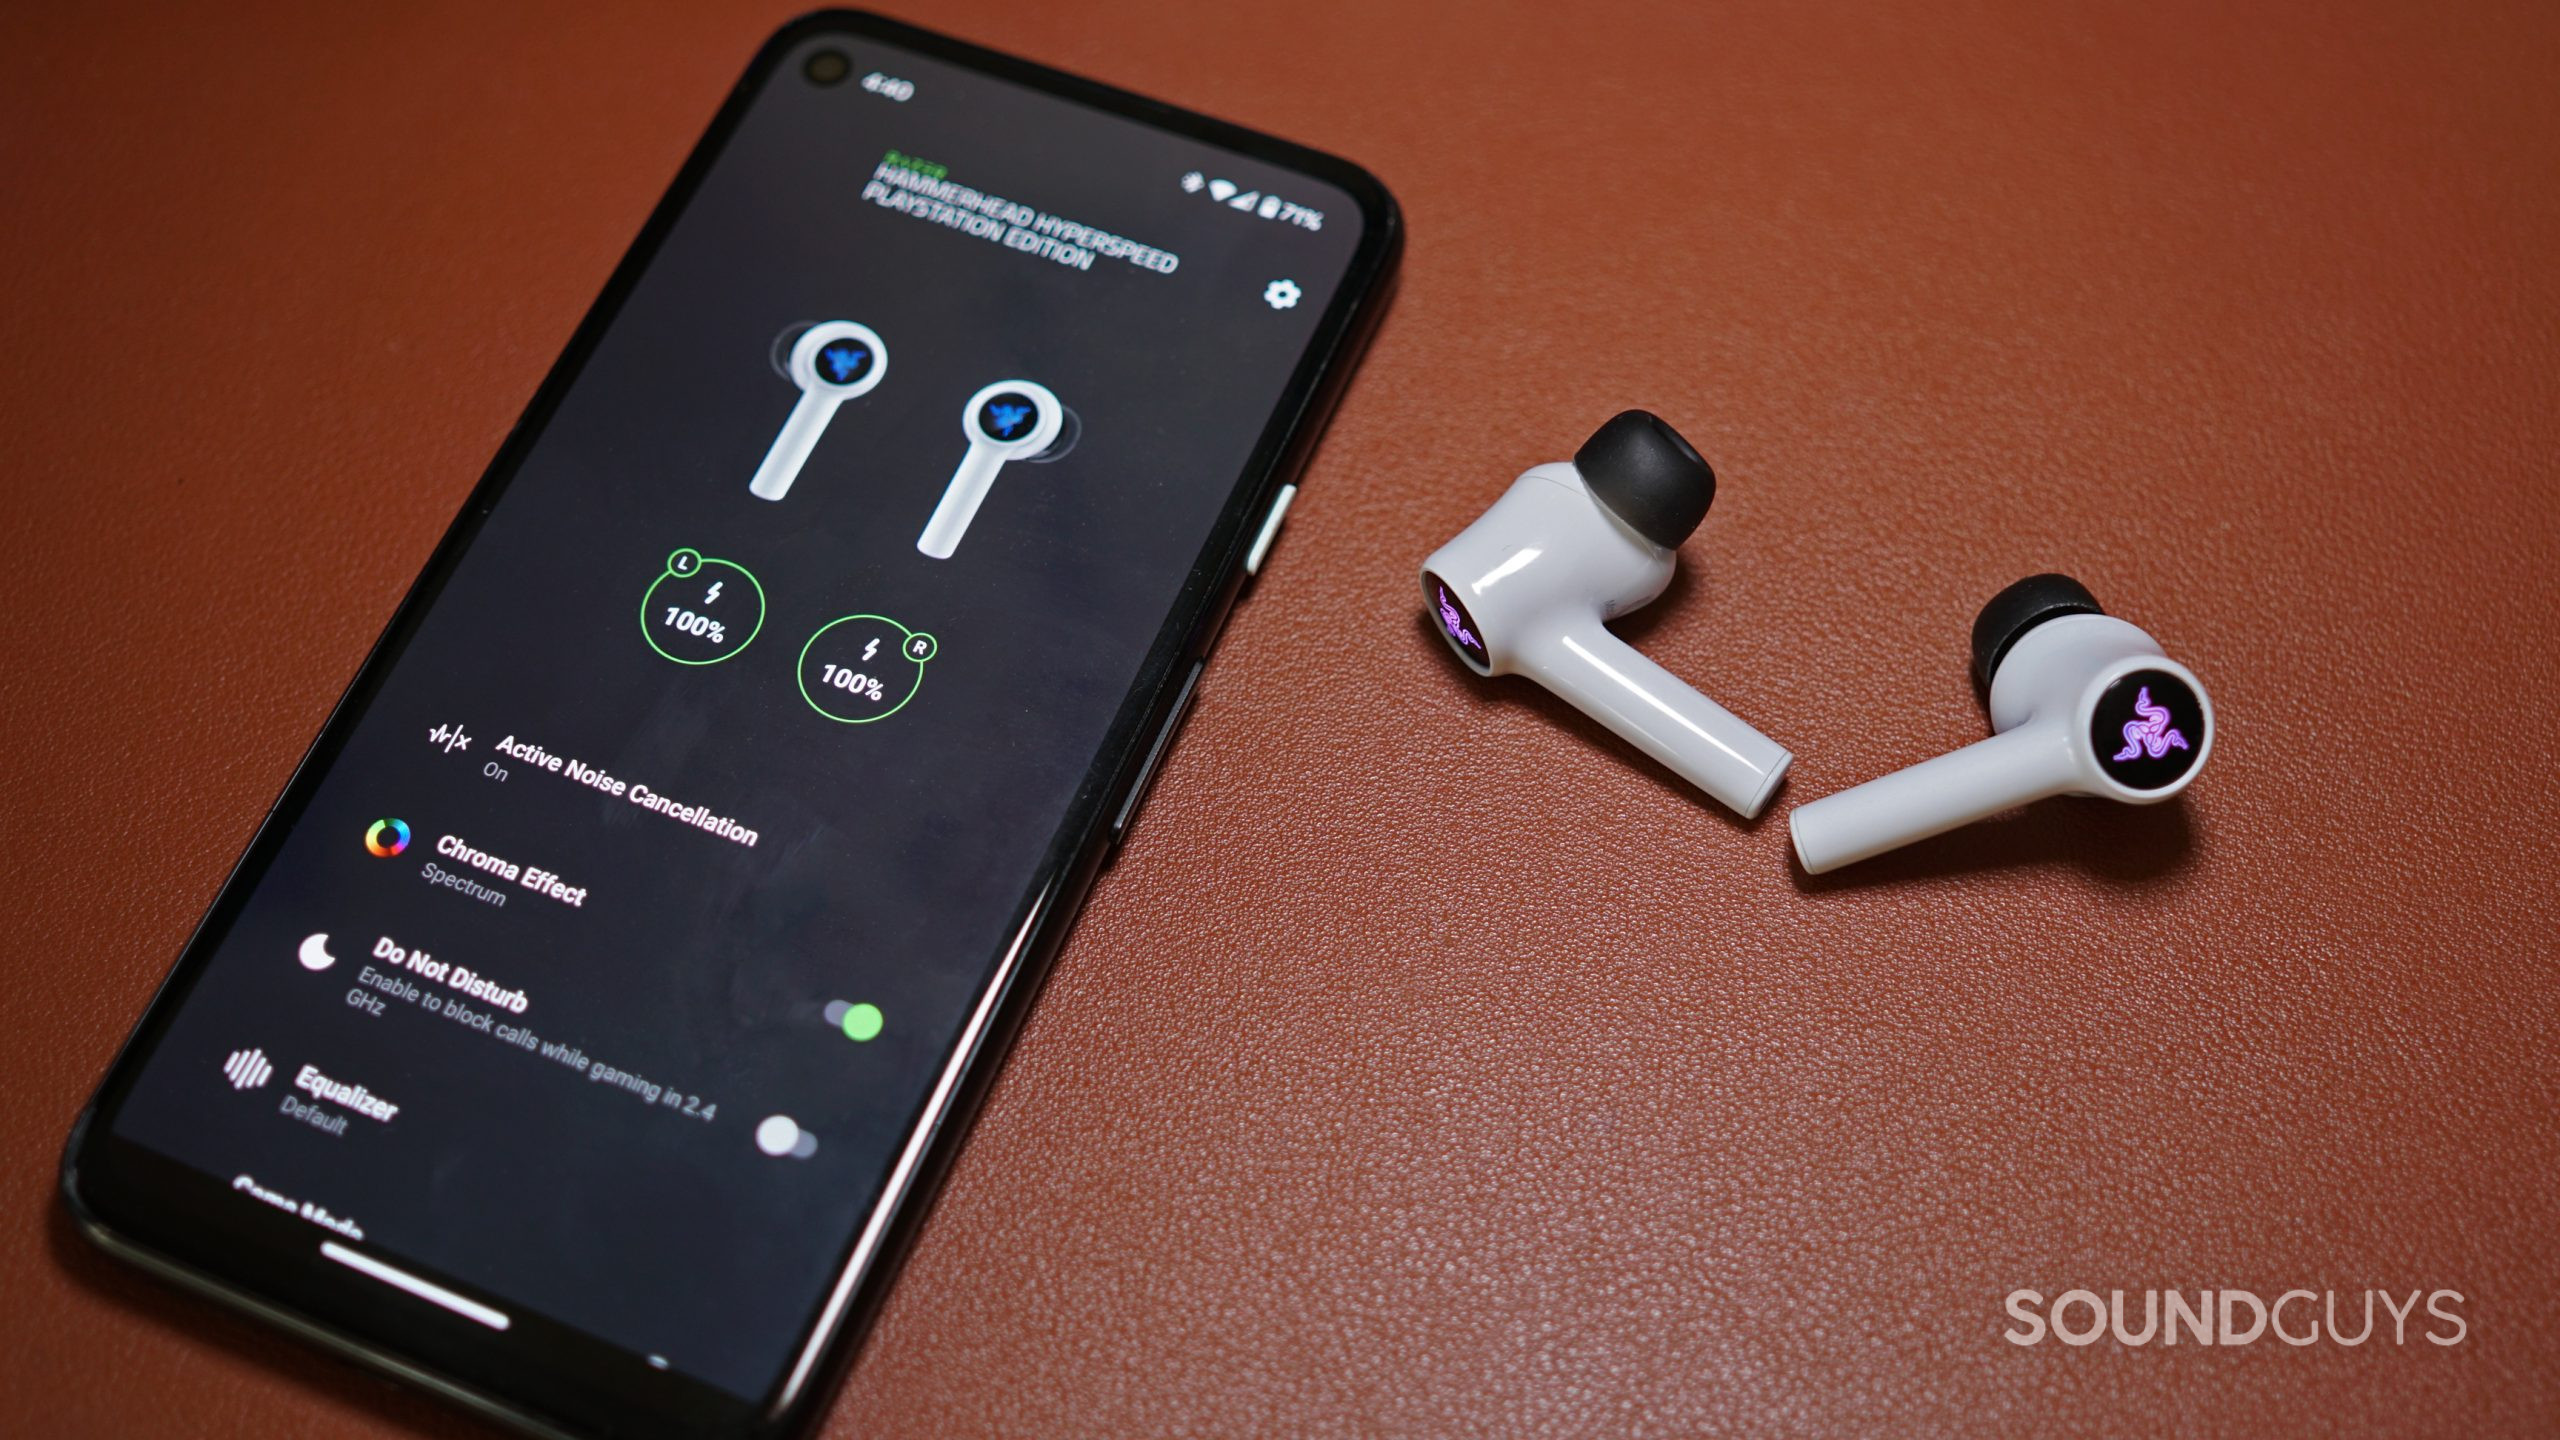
(1430, 1065)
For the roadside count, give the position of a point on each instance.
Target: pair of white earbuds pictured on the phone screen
(1002, 421)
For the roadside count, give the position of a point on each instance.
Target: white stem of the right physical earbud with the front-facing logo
(1924, 801)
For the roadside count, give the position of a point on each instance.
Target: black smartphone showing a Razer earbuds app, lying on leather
(590, 1021)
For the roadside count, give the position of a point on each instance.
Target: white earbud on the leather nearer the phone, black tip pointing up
(1568, 547)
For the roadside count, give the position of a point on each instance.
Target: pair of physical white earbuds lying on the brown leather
(2083, 703)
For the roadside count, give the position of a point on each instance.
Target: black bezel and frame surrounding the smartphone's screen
(152, 1211)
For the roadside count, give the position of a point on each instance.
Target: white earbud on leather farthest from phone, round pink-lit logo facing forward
(2083, 703)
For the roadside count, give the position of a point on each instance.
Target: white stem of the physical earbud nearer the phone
(1660, 714)
